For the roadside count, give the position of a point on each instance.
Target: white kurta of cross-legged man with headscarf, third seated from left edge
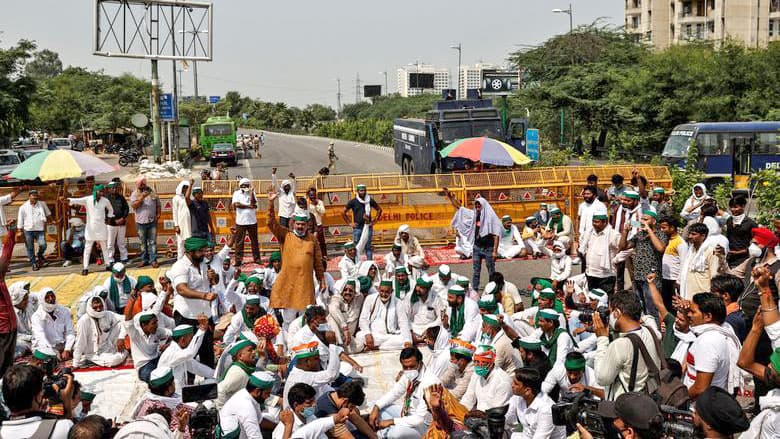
(96, 340)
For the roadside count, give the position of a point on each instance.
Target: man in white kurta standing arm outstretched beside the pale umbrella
(99, 210)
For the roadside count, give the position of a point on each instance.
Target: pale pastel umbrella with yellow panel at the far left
(60, 163)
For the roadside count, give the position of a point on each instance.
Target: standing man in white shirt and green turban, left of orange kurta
(190, 279)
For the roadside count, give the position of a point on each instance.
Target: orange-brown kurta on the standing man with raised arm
(294, 285)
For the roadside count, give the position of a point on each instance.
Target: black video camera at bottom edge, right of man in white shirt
(579, 408)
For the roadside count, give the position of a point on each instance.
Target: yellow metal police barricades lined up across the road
(416, 200)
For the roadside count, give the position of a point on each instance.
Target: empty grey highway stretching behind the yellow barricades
(306, 155)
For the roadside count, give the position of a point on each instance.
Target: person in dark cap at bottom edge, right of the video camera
(633, 415)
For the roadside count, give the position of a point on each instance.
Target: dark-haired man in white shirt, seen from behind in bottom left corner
(23, 392)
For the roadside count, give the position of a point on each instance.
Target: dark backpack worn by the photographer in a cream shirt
(661, 385)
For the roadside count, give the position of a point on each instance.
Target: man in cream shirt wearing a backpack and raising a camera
(614, 359)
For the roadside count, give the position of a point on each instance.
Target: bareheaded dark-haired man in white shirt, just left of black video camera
(530, 409)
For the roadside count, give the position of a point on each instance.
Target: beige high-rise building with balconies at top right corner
(663, 23)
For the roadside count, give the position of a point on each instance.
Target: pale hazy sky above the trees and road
(292, 51)
